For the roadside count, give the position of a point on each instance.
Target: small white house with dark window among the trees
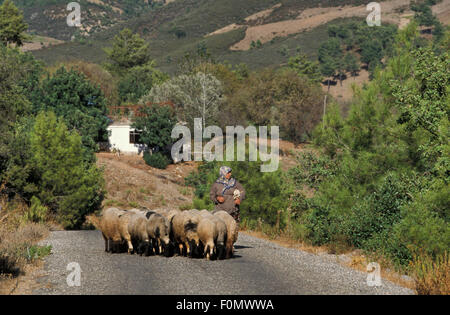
(122, 137)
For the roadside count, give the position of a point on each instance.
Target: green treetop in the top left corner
(12, 25)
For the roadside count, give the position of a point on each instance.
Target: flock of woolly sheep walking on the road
(190, 233)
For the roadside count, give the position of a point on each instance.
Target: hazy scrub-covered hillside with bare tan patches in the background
(226, 28)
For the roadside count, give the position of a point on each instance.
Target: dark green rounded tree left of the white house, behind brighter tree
(71, 95)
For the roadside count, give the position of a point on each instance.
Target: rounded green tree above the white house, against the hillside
(128, 50)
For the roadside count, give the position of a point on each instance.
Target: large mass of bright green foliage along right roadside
(383, 183)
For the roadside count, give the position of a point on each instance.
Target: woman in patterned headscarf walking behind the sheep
(227, 193)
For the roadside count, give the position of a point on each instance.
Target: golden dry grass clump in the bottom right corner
(432, 275)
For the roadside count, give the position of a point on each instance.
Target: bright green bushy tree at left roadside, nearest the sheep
(68, 185)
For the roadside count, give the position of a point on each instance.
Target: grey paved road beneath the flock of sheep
(260, 267)
